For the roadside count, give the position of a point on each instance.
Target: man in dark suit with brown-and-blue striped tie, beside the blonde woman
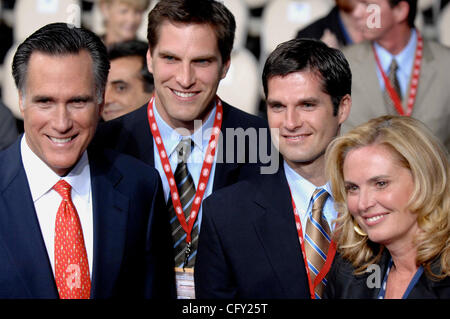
(256, 235)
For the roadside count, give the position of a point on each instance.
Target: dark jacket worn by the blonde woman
(343, 284)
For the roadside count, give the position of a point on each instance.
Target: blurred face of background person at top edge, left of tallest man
(122, 19)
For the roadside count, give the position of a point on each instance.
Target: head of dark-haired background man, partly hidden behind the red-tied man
(130, 84)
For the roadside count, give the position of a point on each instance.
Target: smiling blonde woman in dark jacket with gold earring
(390, 181)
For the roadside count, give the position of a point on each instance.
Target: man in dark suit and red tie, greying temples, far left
(75, 221)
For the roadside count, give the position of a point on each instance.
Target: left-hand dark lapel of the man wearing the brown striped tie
(277, 233)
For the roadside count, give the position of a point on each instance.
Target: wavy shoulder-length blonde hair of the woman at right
(417, 150)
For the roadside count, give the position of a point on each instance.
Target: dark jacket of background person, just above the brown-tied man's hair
(332, 22)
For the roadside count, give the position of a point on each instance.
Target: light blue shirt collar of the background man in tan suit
(404, 58)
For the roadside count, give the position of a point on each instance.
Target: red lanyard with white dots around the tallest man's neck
(205, 172)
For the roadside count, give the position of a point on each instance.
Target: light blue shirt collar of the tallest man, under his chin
(171, 137)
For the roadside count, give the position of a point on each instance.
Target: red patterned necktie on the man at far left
(71, 263)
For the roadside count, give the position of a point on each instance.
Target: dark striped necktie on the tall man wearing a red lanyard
(186, 191)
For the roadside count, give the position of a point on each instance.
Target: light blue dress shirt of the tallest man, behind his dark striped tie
(171, 138)
